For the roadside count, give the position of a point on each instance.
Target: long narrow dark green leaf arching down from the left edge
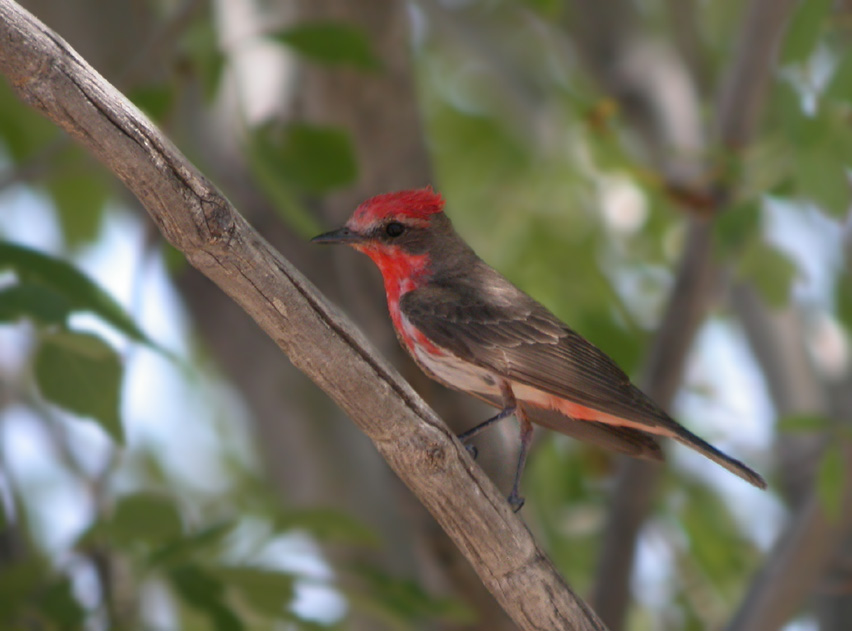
(81, 293)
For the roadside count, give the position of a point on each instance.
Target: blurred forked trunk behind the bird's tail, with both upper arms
(741, 95)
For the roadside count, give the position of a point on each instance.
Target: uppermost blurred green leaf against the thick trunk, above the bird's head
(330, 43)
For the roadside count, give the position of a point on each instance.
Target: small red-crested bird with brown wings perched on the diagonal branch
(471, 329)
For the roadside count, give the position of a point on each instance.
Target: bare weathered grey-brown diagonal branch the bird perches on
(194, 216)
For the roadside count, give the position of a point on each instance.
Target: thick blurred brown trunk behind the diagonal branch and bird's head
(312, 453)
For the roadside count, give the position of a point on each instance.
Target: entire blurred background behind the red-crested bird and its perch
(670, 177)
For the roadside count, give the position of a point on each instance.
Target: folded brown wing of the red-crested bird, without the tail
(504, 330)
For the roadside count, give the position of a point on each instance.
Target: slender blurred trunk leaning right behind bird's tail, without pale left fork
(740, 100)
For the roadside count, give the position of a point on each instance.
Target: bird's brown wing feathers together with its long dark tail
(484, 319)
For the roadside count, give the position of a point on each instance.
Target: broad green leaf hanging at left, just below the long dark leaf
(82, 374)
